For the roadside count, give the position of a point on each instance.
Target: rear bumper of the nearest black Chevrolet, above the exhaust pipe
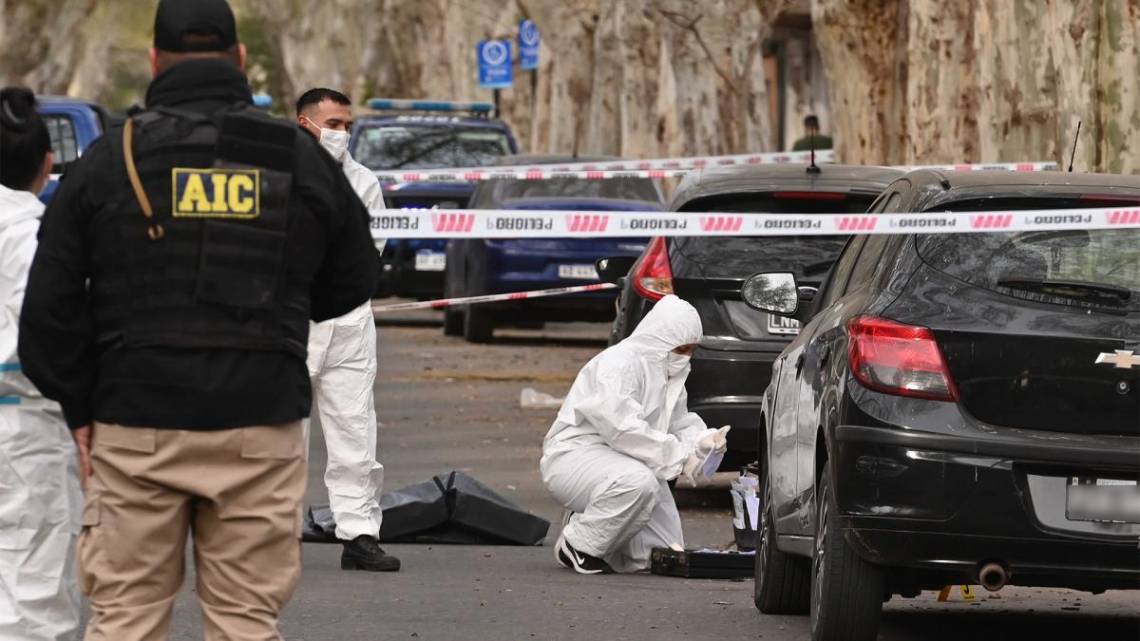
(940, 506)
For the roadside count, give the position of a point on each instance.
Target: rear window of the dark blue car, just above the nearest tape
(493, 193)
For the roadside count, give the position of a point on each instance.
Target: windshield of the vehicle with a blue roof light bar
(429, 148)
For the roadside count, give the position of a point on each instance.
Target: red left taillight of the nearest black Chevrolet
(901, 360)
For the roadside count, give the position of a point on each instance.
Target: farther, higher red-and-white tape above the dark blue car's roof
(470, 174)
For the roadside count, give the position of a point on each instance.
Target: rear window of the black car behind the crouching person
(809, 257)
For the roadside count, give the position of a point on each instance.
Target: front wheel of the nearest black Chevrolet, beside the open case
(784, 582)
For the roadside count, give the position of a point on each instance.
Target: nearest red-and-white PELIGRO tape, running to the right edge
(522, 224)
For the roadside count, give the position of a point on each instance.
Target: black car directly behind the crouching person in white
(731, 369)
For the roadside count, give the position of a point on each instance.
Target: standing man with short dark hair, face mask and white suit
(343, 367)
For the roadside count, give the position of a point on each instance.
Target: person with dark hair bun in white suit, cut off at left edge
(40, 501)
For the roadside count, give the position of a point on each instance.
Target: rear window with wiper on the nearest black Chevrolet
(1008, 263)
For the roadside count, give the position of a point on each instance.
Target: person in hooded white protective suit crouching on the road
(624, 432)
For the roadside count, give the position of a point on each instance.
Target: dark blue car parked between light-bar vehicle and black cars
(486, 266)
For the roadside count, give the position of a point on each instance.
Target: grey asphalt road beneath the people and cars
(446, 405)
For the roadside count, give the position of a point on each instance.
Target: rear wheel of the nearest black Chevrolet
(846, 590)
